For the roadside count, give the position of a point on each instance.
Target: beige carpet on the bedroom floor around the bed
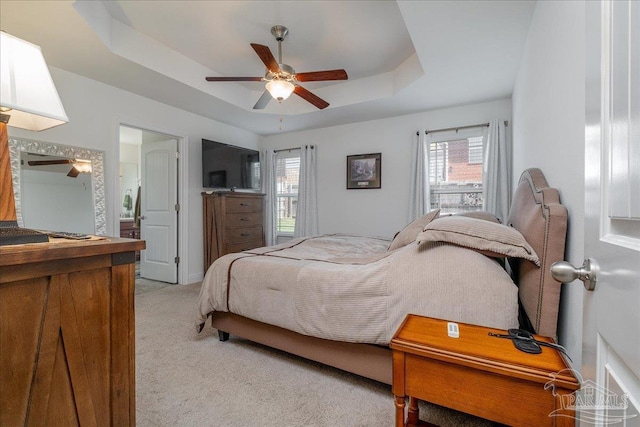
(189, 379)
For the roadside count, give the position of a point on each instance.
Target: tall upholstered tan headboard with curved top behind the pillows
(537, 213)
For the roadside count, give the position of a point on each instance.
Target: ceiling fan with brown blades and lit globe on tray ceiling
(282, 79)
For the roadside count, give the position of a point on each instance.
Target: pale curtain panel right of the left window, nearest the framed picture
(307, 209)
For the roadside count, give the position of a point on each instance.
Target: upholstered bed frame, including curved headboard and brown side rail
(535, 211)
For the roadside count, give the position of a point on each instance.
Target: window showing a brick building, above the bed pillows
(455, 174)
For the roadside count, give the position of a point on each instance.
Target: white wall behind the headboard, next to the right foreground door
(548, 132)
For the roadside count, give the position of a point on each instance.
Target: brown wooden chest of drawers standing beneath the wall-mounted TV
(233, 222)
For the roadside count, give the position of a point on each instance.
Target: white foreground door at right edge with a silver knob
(611, 332)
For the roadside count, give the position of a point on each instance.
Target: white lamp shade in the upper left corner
(26, 86)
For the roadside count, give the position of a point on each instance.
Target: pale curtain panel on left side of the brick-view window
(419, 185)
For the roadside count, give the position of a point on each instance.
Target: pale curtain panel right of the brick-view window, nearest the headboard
(496, 176)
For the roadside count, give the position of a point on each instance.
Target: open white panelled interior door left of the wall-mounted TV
(159, 211)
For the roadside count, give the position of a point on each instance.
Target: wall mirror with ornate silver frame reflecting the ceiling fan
(81, 193)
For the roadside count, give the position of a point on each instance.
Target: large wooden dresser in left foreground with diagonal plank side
(67, 333)
